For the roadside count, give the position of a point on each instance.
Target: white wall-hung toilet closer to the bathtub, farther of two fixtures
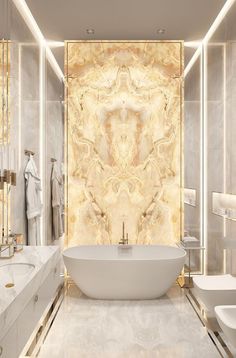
(212, 291)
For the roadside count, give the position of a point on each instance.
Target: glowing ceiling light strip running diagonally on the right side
(223, 12)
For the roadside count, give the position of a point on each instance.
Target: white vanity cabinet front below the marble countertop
(19, 333)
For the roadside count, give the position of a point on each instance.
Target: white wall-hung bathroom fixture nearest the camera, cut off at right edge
(226, 317)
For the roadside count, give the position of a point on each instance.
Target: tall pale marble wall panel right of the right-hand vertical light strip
(215, 153)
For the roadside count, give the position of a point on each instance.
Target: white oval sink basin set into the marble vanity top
(12, 274)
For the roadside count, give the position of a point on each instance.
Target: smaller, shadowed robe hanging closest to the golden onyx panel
(57, 202)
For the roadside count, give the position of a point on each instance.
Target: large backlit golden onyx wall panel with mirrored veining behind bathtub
(124, 141)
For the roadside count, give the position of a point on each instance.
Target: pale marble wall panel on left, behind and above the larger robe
(24, 104)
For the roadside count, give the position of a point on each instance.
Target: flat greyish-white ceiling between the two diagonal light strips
(61, 20)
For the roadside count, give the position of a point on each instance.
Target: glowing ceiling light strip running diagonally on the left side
(33, 26)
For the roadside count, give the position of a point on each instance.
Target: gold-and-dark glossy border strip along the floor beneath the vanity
(32, 347)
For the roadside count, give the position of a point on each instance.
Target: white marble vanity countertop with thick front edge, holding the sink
(13, 300)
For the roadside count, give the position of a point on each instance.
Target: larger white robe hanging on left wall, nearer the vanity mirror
(33, 202)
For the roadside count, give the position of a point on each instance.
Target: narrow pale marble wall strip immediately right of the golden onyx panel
(192, 153)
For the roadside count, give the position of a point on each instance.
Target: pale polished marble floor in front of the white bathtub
(166, 328)
